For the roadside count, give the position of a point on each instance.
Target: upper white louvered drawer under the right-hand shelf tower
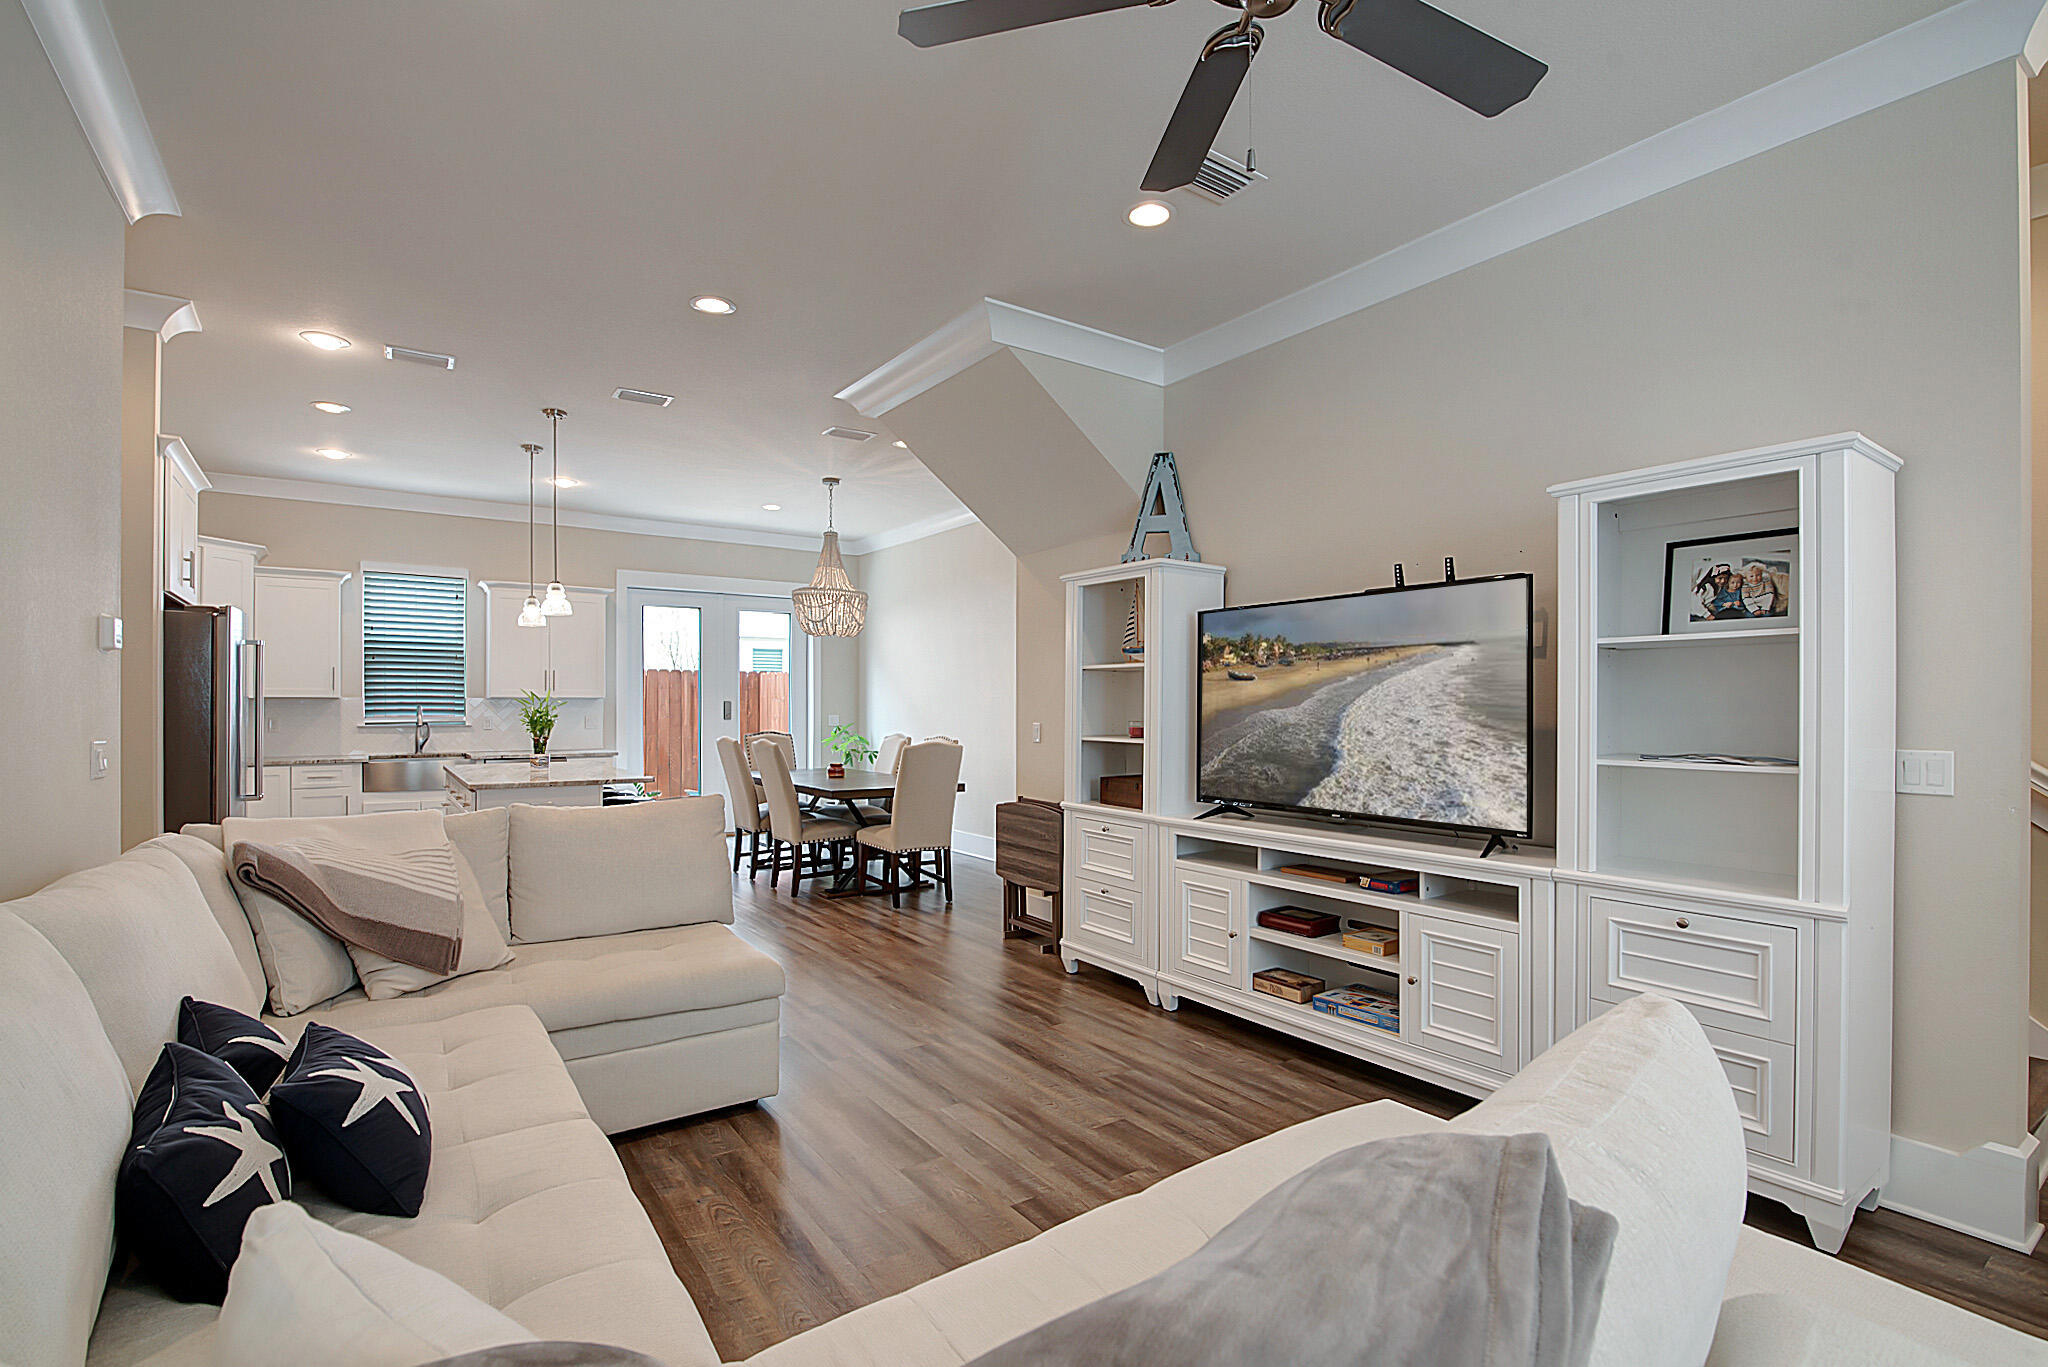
(1732, 972)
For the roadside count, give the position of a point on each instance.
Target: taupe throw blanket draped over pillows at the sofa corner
(402, 905)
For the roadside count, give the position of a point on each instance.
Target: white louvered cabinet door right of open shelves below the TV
(1459, 991)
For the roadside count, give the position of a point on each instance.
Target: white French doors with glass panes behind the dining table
(712, 665)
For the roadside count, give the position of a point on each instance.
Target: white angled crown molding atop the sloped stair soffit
(978, 335)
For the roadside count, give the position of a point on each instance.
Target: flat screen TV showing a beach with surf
(1404, 706)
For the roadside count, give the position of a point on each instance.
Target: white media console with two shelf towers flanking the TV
(1758, 897)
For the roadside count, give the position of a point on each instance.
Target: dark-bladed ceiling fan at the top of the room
(1418, 40)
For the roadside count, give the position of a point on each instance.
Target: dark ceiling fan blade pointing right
(1445, 54)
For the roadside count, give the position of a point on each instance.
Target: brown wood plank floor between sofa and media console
(945, 1097)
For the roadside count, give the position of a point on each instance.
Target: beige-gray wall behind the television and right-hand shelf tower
(1871, 278)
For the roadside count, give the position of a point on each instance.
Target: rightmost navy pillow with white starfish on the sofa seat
(353, 1124)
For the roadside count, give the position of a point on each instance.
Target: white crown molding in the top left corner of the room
(87, 58)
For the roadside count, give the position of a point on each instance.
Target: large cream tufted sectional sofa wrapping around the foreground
(529, 1208)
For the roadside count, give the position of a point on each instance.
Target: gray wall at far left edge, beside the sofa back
(60, 466)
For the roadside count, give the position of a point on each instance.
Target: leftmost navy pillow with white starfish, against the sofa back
(202, 1159)
